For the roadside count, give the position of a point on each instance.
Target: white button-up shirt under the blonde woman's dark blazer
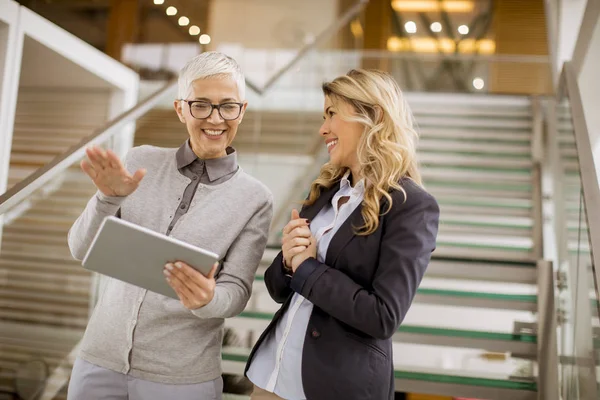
(277, 364)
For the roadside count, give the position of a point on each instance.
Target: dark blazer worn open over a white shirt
(360, 295)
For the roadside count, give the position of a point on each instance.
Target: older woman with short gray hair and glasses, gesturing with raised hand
(142, 345)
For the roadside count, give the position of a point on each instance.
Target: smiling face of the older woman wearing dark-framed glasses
(210, 137)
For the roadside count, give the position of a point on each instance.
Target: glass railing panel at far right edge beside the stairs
(577, 294)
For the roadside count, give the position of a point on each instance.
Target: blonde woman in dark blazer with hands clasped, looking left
(352, 260)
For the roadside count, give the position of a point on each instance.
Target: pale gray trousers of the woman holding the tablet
(91, 382)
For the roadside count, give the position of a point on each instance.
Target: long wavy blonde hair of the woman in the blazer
(387, 150)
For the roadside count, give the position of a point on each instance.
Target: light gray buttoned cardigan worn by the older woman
(153, 337)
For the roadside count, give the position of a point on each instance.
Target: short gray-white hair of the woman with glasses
(206, 65)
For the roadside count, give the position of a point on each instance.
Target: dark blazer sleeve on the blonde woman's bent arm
(408, 239)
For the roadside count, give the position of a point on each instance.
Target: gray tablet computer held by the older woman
(137, 255)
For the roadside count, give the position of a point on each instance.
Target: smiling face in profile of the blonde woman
(341, 137)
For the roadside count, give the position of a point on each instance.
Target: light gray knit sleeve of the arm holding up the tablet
(234, 282)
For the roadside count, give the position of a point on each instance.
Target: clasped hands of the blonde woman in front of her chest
(298, 243)
